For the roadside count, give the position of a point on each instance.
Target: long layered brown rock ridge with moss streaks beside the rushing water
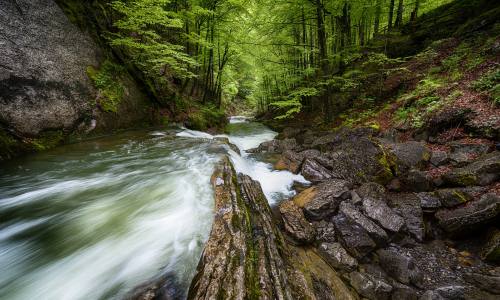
(246, 257)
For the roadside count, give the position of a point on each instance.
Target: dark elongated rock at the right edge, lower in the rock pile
(475, 213)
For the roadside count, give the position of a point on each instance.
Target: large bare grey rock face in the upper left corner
(43, 80)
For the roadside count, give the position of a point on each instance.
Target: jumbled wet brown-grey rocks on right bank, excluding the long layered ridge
(386, 217)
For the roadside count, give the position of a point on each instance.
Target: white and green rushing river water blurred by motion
(93, 220)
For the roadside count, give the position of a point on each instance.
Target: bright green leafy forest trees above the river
(274, 54)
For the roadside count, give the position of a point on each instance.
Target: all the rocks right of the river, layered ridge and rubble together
(383, 219)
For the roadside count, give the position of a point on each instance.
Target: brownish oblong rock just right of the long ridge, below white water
(295, 222)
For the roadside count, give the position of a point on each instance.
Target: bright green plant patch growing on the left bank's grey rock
(106, 80)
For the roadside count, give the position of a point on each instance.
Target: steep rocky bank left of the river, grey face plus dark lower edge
(45, 90)
